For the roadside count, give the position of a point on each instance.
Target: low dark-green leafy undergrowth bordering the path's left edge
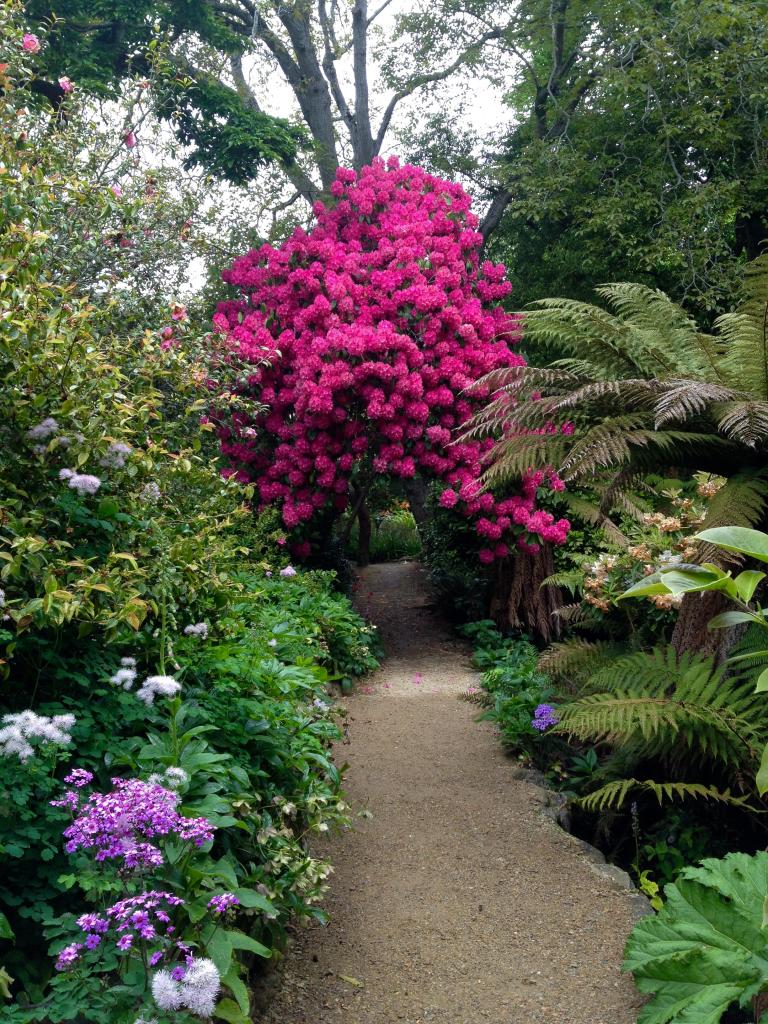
(244, 744)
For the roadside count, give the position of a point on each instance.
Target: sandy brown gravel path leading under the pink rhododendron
(458, 903)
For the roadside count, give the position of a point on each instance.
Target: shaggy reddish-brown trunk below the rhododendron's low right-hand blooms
(521, 602)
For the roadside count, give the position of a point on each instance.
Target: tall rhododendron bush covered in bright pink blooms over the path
(365, 334)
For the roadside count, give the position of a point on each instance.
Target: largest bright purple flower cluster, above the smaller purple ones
(115, 825)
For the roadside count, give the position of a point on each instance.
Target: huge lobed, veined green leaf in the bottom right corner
(706, 950)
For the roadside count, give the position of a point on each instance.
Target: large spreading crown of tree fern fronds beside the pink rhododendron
(644, 387)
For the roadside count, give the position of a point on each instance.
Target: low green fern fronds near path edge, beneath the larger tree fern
(685, 715)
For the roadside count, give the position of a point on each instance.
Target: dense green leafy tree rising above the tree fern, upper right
(638, 144)
